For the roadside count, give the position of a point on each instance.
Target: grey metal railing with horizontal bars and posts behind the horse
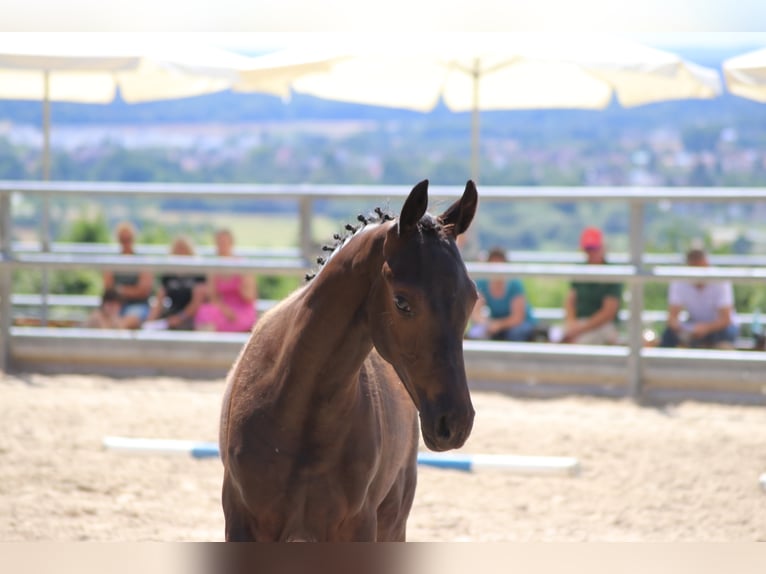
(635, 268)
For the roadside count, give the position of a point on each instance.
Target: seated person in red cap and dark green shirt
(591, 308)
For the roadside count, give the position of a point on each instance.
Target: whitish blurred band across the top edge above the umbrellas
(386, 16)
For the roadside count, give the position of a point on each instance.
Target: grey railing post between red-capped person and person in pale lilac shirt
(635, 326)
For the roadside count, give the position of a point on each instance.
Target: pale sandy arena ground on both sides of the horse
(683, 472)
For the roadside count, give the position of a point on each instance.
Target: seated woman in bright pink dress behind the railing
(230, 305)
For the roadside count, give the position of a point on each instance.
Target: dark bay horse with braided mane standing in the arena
(319, 426)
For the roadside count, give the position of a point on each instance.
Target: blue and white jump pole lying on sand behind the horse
(454, 461)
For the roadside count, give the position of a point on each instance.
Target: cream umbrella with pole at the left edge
(89, 68)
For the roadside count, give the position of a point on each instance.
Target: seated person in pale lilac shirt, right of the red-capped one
(710, 306)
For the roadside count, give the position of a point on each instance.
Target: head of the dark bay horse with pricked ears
(423, 300)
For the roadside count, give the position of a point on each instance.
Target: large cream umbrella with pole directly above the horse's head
(472, 73)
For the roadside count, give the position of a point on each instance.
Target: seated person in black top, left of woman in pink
(179, 296)
